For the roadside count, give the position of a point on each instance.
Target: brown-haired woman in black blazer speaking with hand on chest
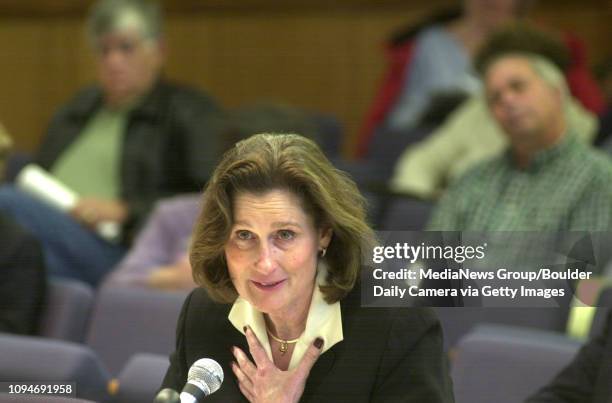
(278, 250)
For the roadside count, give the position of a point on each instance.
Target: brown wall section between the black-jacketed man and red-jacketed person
(326, 62)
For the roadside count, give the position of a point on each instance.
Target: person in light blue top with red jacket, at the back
(433, 59)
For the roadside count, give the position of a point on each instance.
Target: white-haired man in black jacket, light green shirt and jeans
(120, 144)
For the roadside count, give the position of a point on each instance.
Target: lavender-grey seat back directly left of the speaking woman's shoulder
(126, 321)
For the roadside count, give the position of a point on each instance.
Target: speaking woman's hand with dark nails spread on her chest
(263, 382)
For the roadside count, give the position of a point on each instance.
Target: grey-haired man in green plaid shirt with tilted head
(547, 180)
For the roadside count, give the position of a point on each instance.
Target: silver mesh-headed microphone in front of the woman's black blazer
(204, 378)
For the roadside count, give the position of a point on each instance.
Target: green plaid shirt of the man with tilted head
(566, 187)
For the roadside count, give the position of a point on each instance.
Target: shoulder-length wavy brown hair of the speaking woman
(266, 162)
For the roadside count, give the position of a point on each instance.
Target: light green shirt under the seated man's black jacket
(91, 165)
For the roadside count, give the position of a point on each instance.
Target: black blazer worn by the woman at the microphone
(387, 355)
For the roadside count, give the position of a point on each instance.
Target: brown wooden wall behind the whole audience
(310, 54)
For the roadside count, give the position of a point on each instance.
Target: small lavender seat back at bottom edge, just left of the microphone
(141, 378)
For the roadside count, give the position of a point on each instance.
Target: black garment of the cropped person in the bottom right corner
(588, 378)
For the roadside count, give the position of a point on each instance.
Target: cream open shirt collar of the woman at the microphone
(324, 320)
